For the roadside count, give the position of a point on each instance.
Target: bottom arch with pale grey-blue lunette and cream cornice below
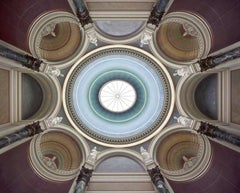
(120, 171)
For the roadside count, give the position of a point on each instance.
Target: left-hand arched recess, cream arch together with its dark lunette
(39, 96)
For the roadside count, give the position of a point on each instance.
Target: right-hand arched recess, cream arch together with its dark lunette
(198, 96)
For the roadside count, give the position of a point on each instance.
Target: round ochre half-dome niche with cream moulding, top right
(182, 38)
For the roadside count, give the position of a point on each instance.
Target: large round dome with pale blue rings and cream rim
(118, 96)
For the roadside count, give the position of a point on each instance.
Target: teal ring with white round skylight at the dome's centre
(112, 114)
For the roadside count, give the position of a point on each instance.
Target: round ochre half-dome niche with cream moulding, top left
(56, 37)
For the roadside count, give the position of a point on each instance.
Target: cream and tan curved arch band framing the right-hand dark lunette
(186, 100)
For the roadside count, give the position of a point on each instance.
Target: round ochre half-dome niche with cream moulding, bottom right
(182, 154)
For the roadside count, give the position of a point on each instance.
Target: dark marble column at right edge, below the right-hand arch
(214, 132)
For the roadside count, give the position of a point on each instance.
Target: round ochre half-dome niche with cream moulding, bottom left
(55, 155)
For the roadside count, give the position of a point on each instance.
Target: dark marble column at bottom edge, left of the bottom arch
(83, 179)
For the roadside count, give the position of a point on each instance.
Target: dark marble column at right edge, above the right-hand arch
(212, 61)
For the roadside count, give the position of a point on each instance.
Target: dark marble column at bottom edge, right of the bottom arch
(158, 179)
